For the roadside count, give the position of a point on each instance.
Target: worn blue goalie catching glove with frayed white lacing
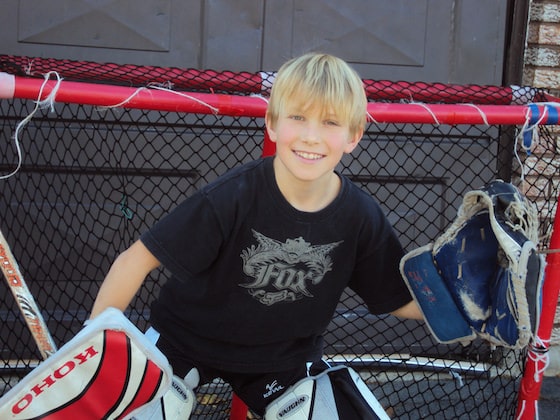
(483, 277)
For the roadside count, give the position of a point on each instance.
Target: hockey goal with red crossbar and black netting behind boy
(87, 174)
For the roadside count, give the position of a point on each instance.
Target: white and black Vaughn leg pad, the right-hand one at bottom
(338, 393)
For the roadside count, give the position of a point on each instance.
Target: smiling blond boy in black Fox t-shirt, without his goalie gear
(260, 257)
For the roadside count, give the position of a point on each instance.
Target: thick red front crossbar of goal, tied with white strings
(255, 106)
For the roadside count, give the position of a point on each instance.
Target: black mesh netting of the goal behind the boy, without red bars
(91, 180)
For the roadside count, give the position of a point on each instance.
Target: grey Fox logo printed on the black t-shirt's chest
(282, 272)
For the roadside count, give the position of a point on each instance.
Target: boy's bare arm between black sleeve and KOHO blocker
(126, 275)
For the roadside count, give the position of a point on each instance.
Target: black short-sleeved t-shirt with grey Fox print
(254, 282)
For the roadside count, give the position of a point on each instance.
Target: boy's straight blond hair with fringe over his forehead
(323, 80)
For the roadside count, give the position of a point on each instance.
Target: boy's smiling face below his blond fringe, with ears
(309, 142)
